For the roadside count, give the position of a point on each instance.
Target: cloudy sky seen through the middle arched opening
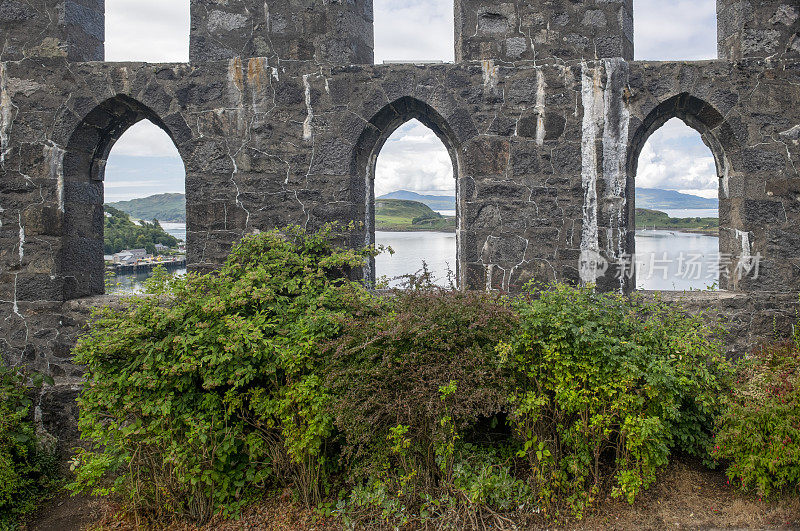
(421, 165)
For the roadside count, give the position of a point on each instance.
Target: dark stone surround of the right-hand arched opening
(717, 134)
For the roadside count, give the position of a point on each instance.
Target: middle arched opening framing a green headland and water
(415, 206)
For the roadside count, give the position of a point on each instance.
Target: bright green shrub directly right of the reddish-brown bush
(607, 387)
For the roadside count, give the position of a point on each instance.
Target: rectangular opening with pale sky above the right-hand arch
(678, 30)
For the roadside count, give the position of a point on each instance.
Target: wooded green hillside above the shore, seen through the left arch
(122, 233)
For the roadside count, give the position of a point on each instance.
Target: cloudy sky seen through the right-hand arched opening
(675, 158)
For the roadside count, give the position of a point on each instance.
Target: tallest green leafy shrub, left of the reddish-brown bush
(213, 385)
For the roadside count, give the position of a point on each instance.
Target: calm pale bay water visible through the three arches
(666, 260)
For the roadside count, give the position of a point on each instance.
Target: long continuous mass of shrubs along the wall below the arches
(424, 404)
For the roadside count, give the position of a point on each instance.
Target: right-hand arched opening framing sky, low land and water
(677, 212)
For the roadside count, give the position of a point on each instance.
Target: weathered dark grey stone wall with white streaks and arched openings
(280, 115)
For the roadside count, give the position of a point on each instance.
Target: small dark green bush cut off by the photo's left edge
(27, 464)
